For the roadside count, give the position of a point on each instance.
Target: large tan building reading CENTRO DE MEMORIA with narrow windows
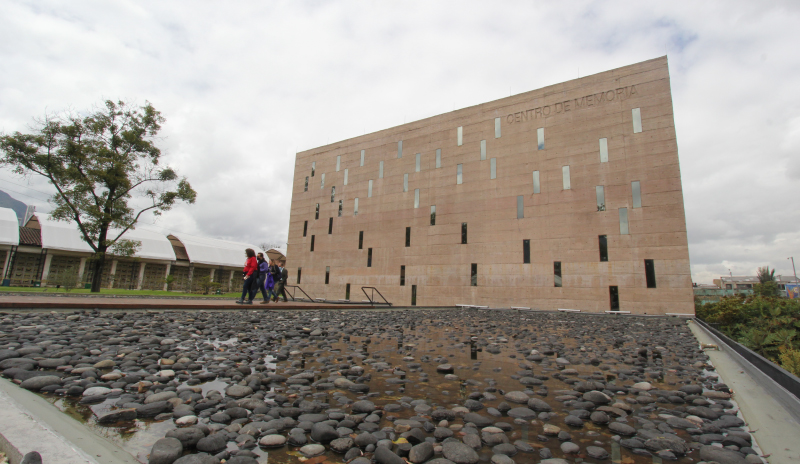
(566, 197)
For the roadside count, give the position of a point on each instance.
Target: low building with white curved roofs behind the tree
(37, 253)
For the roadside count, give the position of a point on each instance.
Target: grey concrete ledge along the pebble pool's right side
(771, 412)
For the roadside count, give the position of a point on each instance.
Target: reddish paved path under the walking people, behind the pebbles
(87, 302)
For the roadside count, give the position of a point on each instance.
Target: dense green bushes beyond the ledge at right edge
(766, 325)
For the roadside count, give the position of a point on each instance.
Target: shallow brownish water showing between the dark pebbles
(447, 340)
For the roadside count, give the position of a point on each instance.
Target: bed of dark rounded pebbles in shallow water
(422, 386)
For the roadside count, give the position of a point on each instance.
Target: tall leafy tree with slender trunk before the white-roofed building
(97, 163)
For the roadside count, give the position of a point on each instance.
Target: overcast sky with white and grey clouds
(245, 85)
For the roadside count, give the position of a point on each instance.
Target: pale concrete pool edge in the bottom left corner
(28, 422)
